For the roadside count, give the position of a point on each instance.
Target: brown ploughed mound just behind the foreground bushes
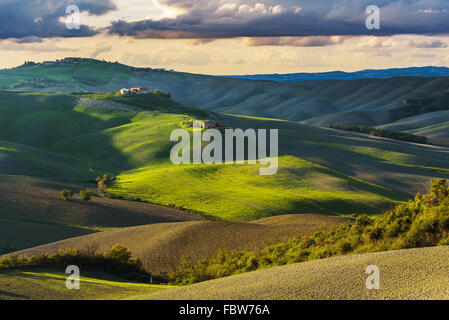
(162, 246)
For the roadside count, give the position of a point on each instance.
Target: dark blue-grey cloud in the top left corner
(32, 19)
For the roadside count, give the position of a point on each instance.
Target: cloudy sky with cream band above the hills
(229, 36)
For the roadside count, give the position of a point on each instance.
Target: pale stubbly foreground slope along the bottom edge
(404, 275)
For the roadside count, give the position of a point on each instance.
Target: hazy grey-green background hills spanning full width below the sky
(352, 102)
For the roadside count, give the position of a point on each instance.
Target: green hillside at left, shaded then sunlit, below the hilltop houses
(111, 138)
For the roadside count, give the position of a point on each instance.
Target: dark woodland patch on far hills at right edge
(415, 107)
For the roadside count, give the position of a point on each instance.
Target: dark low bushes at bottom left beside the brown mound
(118, 260)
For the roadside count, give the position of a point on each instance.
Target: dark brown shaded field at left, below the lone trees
(32, 213)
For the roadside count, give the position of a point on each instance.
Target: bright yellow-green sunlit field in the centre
(238, 192)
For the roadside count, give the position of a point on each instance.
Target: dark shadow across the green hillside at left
(49, 121)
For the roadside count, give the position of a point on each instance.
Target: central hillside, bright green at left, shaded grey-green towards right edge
(325, 180)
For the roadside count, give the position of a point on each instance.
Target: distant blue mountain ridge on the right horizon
(341, 75)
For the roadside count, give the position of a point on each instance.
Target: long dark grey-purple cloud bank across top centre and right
(281, 18)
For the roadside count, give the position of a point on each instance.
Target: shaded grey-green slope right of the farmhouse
(365, 173)
